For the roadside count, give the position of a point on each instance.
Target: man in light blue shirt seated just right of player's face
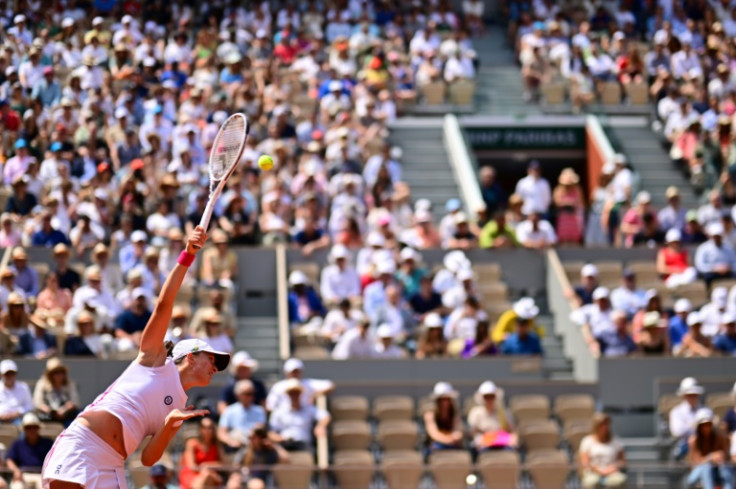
(239, 419)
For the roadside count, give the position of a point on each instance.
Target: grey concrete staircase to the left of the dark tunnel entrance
(425, 163)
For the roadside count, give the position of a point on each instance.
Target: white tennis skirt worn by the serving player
(82, 457)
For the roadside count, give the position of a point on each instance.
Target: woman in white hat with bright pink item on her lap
(490, 424)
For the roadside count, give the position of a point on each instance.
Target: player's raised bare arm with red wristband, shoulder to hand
(152, 352)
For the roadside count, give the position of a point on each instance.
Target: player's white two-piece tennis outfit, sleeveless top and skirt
(140, 398)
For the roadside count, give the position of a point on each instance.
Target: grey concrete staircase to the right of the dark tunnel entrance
(651, 162)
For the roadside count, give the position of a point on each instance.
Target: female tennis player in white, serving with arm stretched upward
(149, 398)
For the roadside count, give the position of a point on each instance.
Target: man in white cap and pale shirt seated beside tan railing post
(291, 424)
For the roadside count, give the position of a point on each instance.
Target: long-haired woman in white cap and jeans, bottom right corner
(708, 449)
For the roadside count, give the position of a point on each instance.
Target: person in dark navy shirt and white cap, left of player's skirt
(27, 453)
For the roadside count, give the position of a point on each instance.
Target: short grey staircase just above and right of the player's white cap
(259, 336)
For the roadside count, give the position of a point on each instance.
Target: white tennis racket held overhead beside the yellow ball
(224, 158)
